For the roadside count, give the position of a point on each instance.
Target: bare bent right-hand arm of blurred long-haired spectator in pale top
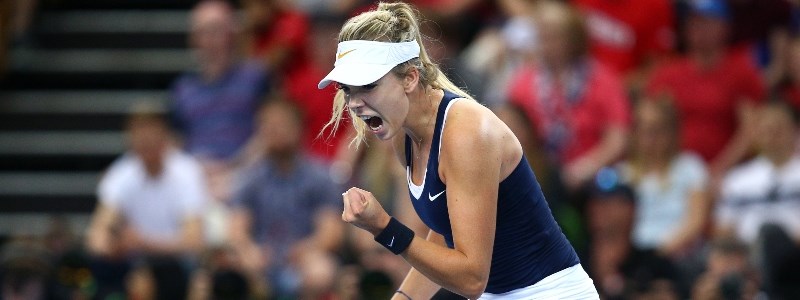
(693, 225)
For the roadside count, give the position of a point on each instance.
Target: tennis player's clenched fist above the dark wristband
(364, 211)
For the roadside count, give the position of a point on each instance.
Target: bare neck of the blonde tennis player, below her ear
(423, 106)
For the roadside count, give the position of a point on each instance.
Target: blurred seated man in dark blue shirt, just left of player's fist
(287, 209)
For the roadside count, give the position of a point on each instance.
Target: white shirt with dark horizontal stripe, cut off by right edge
(757, 193)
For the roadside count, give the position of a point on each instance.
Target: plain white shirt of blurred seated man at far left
(155, 206)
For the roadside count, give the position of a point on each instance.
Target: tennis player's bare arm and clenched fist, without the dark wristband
(472, 202)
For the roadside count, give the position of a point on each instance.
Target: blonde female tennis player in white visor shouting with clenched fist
(492, 234)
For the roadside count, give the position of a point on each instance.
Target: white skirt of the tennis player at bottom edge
(570, 283)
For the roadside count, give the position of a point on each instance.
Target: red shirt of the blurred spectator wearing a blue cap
(707, 100)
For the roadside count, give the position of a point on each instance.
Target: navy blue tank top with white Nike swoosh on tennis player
(528, 244)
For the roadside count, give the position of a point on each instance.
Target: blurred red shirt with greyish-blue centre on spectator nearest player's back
(571, 126)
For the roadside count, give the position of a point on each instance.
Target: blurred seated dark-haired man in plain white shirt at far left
(150, 205)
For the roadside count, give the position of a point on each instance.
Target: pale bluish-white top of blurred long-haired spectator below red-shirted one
(663, 202)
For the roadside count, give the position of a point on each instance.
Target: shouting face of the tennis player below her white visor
(383, 105)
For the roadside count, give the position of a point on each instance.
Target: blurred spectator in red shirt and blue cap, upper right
(715, 89)
